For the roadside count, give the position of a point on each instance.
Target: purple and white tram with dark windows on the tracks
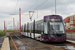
(50, 29)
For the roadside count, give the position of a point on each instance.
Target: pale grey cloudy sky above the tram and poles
(9, 9)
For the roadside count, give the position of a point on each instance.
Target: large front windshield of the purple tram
(56, 27)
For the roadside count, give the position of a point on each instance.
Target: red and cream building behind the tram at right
(70, 23)
